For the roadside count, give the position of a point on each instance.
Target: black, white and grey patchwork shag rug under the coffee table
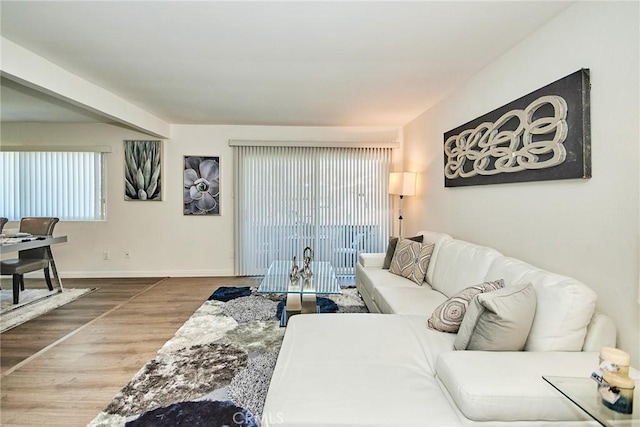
(216, 369)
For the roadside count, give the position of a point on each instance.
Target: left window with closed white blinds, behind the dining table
(67, 185)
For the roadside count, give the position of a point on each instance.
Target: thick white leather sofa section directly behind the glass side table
(508, 386)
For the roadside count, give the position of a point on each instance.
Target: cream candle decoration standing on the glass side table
(614, 384)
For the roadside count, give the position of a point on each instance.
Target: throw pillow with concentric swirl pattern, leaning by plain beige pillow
(448, 316)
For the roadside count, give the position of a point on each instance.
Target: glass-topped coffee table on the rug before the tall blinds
(302, 295)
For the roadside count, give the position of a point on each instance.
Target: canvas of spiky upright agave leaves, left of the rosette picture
(143, 170)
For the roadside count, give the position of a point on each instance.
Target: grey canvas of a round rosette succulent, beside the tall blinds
(201, 185)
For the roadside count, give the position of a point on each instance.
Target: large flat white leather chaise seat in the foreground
(379, 358)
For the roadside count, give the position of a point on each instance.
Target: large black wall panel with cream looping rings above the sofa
(545, 135)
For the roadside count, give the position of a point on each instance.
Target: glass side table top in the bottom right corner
(584, 393)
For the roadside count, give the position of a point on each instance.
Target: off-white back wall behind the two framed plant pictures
(161, 240)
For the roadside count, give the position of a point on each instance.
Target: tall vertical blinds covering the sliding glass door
(334, 200)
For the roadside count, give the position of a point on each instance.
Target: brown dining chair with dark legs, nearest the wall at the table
(30, 259)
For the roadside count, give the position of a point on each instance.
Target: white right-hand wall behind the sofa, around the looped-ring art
(587, 229)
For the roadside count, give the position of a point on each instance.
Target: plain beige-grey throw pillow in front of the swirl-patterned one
(498, 321)
